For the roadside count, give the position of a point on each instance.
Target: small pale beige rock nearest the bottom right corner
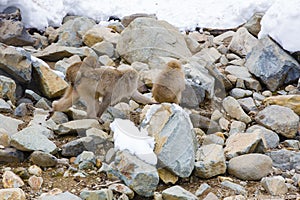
(274, 185)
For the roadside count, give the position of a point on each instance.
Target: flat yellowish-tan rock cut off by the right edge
(290, 101)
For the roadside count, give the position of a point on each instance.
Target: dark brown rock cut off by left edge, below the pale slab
(11, 155)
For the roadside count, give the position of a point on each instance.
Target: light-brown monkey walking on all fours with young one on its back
(91, 82)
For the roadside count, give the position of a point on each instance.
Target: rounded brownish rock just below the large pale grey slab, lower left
(43, 159)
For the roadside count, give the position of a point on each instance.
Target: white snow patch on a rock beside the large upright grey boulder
(128, 137)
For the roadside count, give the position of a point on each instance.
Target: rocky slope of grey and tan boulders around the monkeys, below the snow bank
(235, 134)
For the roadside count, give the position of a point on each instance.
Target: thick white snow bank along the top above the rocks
(281, 20)
